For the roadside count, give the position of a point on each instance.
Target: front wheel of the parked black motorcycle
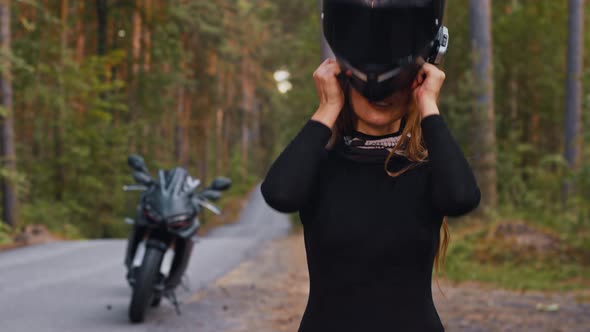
(143, 290)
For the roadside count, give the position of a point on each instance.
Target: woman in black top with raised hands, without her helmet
(372, 234)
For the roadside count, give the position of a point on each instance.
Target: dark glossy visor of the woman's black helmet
(384, 35)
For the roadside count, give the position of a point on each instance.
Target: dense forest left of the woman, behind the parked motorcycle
(180, 82)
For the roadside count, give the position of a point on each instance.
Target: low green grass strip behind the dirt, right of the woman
(512, 272)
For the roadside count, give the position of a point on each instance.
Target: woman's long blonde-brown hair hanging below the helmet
(414, 150)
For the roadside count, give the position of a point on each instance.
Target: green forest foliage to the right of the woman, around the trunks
(529, 71)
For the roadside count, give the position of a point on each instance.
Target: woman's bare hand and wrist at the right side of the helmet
(426, 89)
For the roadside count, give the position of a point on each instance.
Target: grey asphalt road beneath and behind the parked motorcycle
(80, 286)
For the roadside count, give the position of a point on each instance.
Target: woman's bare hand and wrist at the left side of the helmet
(329, 92)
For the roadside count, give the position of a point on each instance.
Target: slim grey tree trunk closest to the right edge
(573, 103)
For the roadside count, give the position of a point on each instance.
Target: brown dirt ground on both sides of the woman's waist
(268, 293)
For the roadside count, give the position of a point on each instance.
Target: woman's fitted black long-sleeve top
(370, 238)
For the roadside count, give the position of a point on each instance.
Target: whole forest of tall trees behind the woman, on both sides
(190, 83)
